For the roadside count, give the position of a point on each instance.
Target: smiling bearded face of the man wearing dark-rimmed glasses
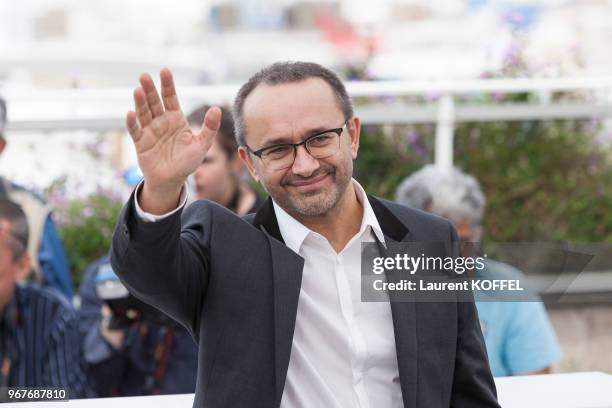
(290, 113)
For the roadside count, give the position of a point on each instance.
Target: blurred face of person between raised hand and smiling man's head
(217, 177)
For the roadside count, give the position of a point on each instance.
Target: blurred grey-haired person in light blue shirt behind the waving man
(518, 335)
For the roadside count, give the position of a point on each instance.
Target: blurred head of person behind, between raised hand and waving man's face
(220, 176)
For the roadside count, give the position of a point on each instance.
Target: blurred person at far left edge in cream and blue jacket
(48, 262)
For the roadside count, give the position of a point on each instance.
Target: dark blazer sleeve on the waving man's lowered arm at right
(473, 385)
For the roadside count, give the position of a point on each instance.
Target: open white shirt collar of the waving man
(294, 233)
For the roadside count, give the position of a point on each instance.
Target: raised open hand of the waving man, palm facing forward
(168, 150)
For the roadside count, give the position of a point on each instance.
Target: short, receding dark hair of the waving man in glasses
(288, 72)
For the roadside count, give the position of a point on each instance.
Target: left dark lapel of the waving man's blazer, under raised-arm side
(287, 269)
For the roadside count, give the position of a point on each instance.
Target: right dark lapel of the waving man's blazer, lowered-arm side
(403, 313)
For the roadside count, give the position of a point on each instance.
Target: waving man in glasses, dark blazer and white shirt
(273, 300)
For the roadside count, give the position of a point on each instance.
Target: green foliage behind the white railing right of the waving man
(544, 180)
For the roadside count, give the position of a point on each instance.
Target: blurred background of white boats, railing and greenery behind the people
(516, 93)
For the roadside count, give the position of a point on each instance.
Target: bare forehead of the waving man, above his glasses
(290, 109)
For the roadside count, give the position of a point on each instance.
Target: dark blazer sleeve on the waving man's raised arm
(163, 264)
